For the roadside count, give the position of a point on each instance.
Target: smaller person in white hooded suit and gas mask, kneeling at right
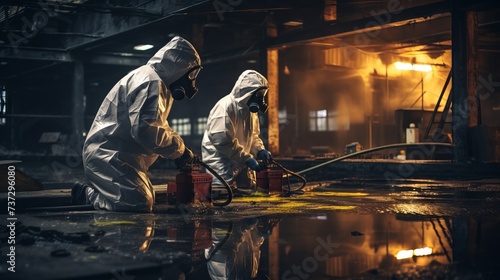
(231, 140)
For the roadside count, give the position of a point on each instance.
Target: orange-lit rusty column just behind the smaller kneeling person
(272, 99)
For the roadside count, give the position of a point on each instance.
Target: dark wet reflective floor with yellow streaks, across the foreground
(349, 229)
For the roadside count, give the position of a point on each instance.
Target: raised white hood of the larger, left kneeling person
(174, 60)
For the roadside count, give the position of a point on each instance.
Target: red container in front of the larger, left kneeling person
(193, 188)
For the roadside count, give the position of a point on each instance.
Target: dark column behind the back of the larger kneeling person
(77, 115)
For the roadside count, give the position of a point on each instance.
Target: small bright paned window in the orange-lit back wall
(324, 120)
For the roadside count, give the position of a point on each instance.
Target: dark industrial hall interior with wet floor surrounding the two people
(397, 99)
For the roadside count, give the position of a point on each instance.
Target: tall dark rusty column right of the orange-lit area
(459, 82)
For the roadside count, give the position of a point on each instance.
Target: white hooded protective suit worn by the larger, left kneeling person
(131, 130)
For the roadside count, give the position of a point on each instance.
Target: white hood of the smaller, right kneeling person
(247, 83)
